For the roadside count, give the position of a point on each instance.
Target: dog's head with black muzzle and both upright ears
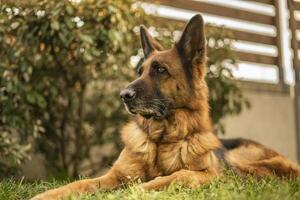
(169, 78)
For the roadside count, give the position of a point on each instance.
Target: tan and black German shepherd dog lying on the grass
(170, 138)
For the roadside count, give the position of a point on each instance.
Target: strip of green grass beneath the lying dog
(226, 188)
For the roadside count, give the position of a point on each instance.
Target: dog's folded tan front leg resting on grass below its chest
(186, 177)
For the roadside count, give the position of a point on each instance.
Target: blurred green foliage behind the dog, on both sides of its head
(62, 66)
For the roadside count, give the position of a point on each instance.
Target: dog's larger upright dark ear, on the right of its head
(191, 45)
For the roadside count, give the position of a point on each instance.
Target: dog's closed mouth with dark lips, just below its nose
(148, 110)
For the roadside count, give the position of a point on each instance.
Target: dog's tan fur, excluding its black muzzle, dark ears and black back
(179, 148)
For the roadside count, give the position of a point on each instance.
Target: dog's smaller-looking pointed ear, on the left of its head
(149, 44)
